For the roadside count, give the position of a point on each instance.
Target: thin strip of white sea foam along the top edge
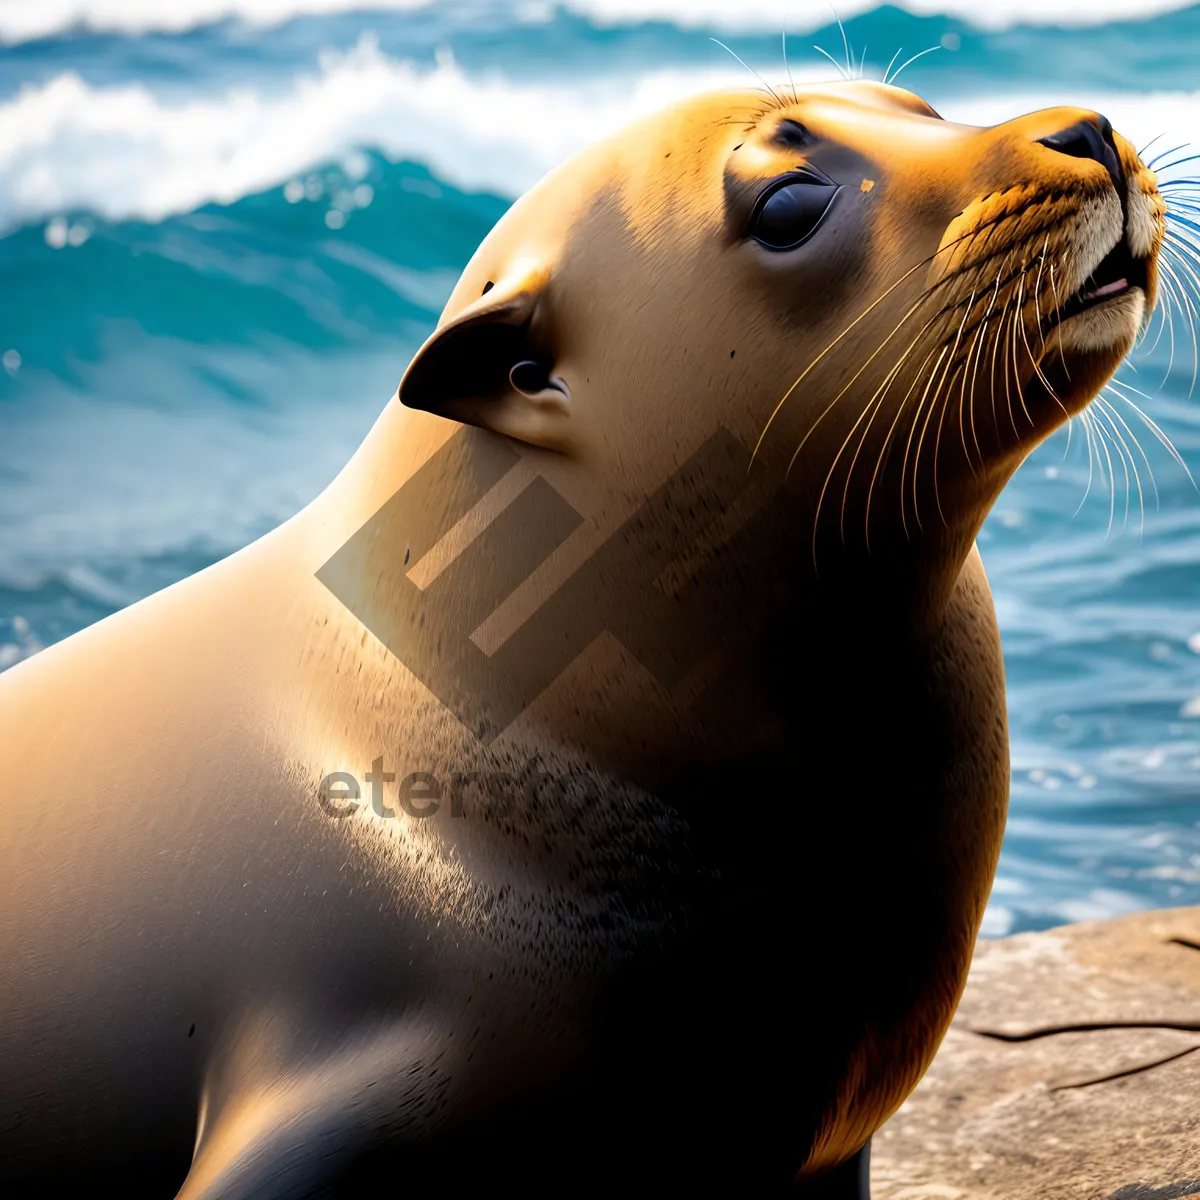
(23, 20)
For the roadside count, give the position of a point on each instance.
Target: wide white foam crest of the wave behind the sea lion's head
(125, 152)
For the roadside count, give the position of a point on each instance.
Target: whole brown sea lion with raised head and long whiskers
(603, 781)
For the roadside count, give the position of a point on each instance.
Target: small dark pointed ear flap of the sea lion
(489, 368)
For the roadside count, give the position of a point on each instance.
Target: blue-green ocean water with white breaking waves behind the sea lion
(226, 225)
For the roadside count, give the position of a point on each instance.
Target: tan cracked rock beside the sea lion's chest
(1072, 1072)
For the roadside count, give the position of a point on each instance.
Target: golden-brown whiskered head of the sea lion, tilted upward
(886, 309)
